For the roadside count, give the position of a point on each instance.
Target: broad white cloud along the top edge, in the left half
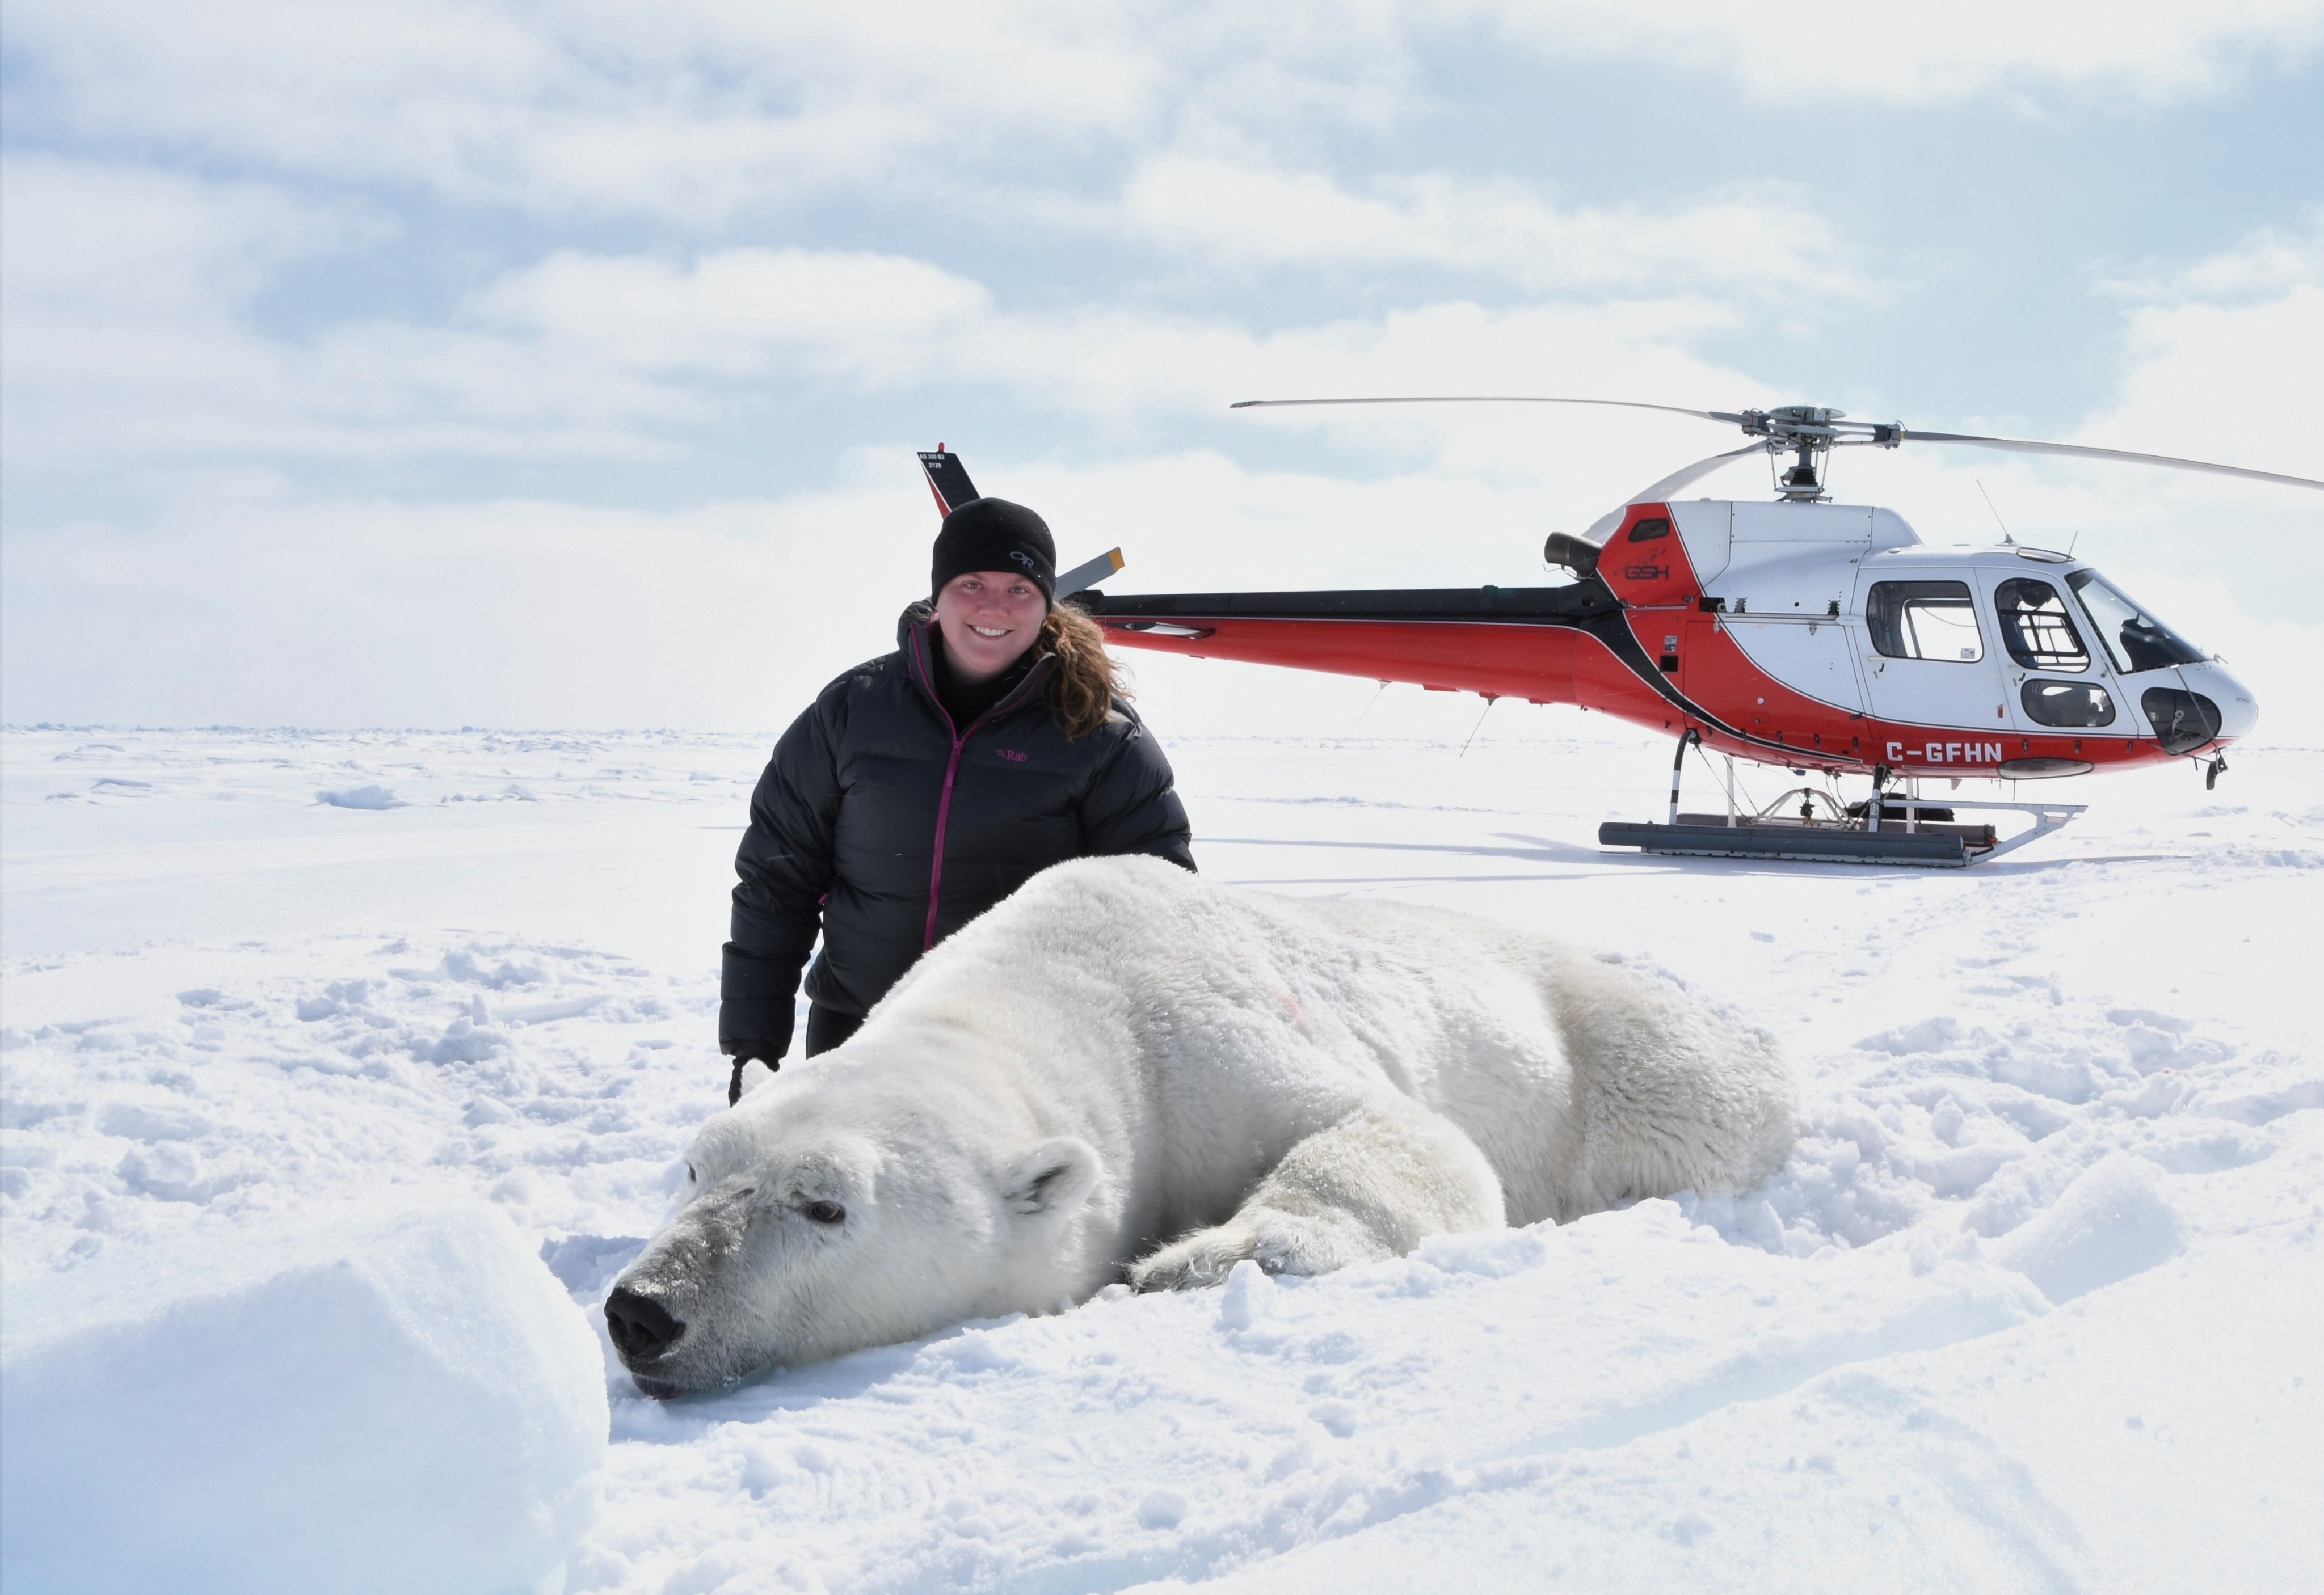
(691, 110)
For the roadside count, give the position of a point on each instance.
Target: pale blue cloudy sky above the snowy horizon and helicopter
(466, 363)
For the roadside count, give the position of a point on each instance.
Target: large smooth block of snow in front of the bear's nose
(280, 1408)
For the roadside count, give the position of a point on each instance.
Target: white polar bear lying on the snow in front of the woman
(1126, 1071)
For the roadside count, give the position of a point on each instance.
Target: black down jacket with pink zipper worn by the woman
(889, 828)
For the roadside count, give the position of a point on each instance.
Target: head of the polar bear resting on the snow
(849, 1206)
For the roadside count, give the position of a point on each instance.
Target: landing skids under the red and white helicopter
(1853, 835)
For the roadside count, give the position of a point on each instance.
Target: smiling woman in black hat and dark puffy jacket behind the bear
(931, 784)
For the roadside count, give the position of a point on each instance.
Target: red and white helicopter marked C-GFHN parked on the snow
(1795, 633)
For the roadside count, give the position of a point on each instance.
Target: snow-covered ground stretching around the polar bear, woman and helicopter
(2037, 1301)
